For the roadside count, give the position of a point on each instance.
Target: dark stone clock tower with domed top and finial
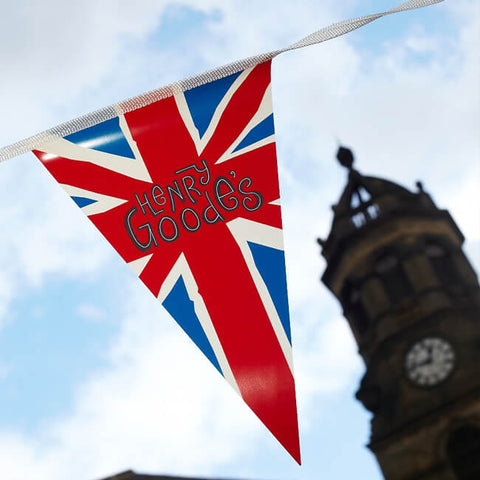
(395, 263)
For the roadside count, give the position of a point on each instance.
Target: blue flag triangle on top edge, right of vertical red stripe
(203, 101)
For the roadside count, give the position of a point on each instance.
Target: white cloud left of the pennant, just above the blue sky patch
(44, 233)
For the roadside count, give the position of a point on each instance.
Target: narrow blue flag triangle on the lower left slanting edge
(181, 308)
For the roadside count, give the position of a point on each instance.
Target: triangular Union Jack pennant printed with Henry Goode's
(186, 190)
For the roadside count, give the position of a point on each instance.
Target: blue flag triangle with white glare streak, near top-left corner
(105, 137)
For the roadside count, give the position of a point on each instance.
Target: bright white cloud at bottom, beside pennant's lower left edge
(158, 399)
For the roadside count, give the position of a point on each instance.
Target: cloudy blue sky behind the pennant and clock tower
(95, 377)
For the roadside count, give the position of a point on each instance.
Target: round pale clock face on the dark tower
(429, 361)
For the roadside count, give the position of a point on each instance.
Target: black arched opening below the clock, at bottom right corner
(463, 451)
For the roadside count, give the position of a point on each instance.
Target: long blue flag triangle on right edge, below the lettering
(270, 263)
